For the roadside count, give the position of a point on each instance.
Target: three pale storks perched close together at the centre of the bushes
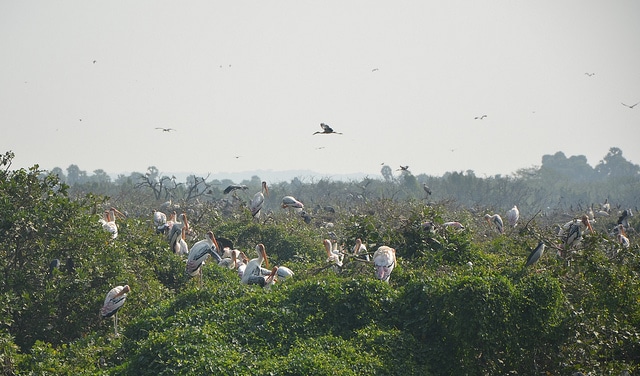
(384, 258)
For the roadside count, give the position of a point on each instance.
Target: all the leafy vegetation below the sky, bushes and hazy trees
(460, 301)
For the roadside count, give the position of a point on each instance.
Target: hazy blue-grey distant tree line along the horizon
(559, 185)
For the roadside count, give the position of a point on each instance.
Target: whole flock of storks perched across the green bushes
(251, 271)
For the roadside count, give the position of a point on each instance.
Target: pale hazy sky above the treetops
(246, 83)
